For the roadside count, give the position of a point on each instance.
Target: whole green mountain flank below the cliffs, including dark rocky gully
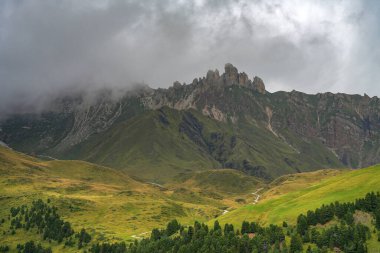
(158, 145)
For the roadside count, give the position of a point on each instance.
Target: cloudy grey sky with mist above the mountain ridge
(311, 46)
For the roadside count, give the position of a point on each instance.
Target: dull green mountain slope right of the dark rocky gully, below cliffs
(261, 148)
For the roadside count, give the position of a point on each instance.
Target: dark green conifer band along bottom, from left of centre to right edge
(344, 235)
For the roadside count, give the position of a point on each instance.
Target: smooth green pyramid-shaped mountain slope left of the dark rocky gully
(148, 146)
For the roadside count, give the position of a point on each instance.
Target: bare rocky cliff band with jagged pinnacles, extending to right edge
(348, 125)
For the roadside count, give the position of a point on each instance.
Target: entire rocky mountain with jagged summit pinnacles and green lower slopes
(218, 121)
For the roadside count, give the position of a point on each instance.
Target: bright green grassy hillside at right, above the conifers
(292, 195)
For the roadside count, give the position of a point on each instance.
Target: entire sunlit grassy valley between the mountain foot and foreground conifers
(114, 207)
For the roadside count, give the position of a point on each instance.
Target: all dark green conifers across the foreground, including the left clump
(327, 228)
